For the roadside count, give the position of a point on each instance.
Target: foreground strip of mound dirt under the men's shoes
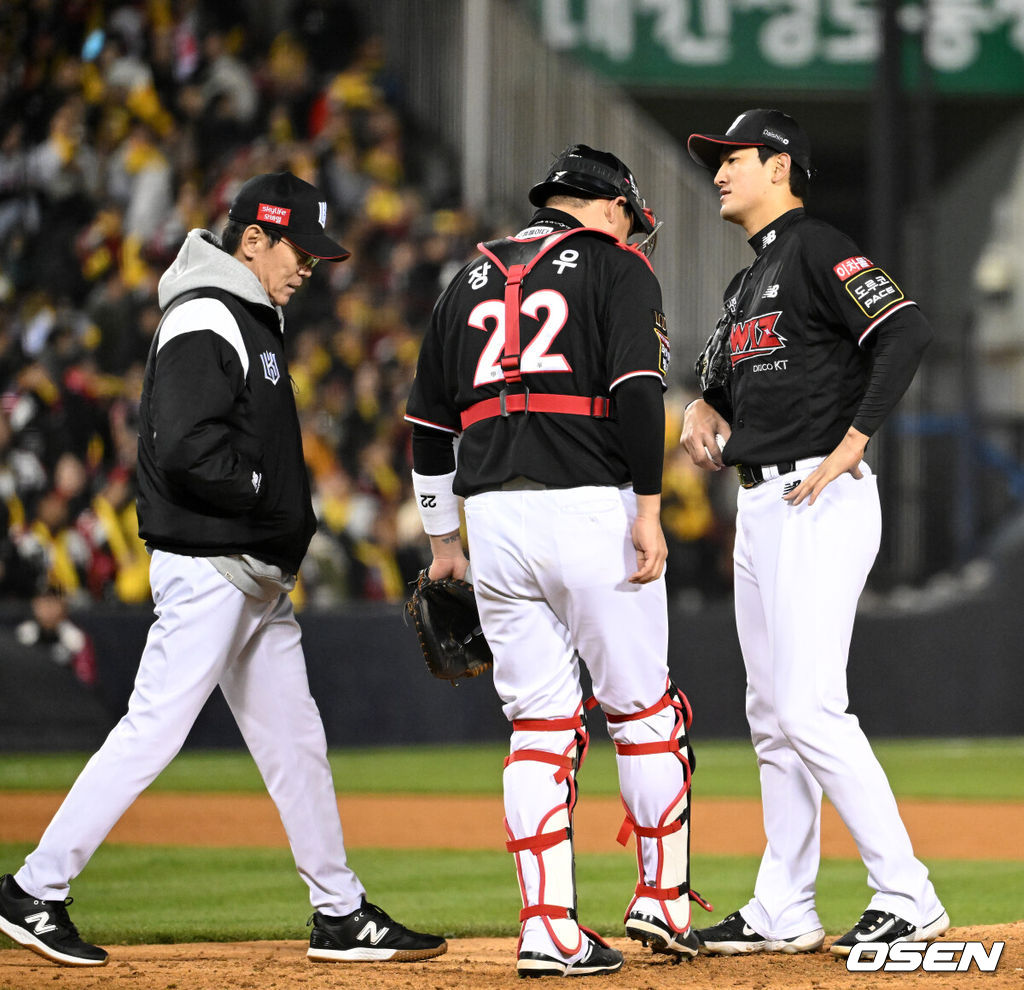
(487, 965)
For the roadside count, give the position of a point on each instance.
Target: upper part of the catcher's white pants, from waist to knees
(551, 571)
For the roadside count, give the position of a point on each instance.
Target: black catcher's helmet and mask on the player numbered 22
(584, 171)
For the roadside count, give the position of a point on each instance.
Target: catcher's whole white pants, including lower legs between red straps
(550, 570)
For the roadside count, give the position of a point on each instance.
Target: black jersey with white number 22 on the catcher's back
(590, 319)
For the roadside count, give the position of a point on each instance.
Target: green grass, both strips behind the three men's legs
(157, 894)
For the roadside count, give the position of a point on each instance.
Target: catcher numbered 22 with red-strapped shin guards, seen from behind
(546, 360)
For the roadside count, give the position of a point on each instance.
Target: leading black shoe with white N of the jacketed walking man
(369, 935)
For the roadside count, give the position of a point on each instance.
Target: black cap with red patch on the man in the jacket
(286, 205)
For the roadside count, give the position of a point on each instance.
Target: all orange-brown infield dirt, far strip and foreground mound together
(940, 831)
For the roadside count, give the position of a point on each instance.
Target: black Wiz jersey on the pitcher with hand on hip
(801, 318)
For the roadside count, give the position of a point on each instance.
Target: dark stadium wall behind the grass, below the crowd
(948, 666)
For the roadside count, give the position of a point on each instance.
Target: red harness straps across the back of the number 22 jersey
(506, 403)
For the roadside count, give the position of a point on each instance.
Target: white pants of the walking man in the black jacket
(207, 634)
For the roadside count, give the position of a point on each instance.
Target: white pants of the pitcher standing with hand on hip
(799, 573)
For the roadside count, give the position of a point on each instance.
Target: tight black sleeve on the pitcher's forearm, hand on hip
(900, 343)
